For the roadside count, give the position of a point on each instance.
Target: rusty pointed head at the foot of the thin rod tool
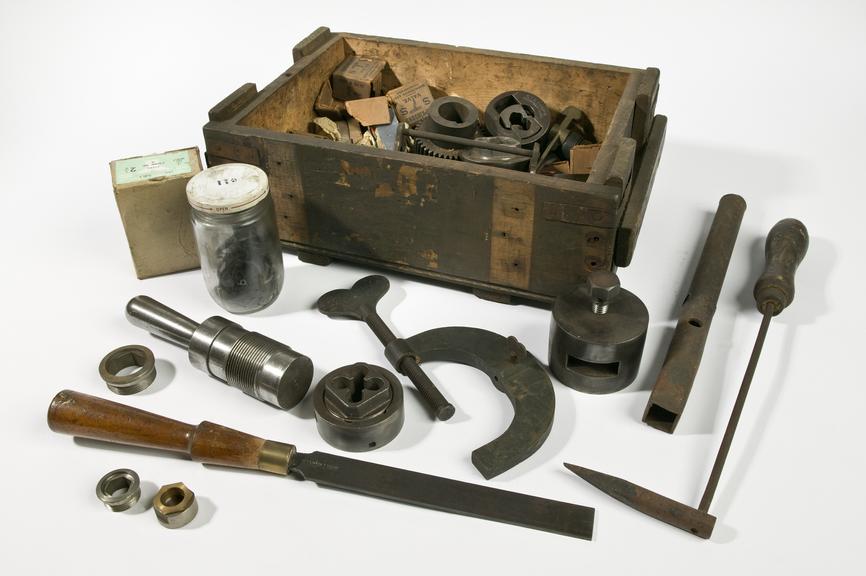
(660, 507)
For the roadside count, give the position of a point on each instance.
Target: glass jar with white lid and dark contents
(235, 228)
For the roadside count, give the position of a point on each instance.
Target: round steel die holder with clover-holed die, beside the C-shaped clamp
(359, 407)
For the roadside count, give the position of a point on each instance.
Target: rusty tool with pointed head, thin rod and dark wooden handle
(786, 245)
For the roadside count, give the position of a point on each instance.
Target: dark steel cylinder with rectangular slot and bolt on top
(597, 335)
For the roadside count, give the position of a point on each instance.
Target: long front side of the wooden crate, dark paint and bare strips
(424, 216)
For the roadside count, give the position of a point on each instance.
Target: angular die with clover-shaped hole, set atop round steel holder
(357, 394)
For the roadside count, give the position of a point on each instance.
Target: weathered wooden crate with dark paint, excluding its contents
(502, 233)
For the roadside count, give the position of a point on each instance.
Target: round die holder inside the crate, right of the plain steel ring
(520, 115)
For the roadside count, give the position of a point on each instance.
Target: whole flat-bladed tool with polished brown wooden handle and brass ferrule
(90, 417)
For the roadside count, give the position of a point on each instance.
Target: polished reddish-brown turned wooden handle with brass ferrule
(87, 416)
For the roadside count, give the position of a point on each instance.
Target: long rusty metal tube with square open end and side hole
(674, 384)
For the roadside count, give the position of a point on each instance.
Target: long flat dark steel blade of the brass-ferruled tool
(444, 494)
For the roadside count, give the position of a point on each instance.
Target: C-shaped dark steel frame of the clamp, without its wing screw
(514, 372)
